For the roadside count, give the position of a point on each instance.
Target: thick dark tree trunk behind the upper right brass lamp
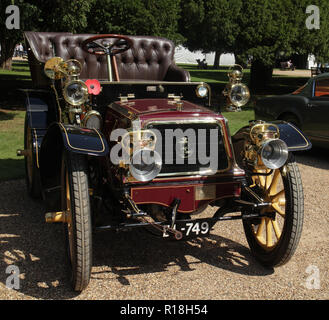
(260, 76)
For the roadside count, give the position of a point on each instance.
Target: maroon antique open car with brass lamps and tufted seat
(117, 137)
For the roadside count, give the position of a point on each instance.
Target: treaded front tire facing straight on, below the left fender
(79, 240)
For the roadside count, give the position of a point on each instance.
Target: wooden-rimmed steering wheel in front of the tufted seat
(118, 44)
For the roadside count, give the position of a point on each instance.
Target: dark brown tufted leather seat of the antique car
(150, 58)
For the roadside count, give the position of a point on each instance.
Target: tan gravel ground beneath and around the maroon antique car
(135, 265)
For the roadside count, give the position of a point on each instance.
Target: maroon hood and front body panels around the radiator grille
(164, 189)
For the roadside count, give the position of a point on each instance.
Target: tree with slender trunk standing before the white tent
(211, 25)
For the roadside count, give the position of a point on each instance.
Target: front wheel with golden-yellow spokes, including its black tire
(274, 239)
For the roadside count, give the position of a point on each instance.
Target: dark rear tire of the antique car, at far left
(32, 178)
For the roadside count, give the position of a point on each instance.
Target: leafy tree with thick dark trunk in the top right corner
(269, 28)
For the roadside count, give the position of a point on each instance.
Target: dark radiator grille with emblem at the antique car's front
(192, 151)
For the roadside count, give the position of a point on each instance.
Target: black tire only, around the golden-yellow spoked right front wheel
(293, 222)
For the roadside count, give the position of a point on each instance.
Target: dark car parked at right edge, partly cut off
(307, 108)
